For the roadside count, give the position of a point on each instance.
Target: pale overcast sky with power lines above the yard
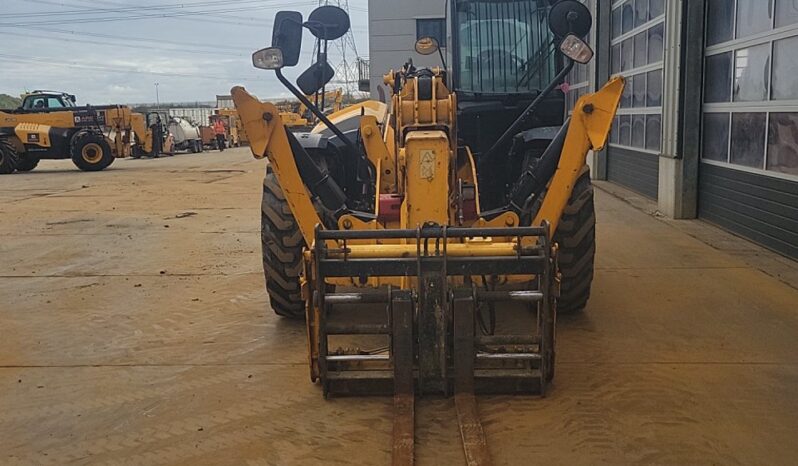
(114, 51)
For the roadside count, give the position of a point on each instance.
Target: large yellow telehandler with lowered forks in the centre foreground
(406, 234)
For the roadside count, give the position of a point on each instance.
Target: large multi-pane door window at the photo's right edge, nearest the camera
(751, 86)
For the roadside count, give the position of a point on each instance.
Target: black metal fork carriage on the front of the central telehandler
(432, 312)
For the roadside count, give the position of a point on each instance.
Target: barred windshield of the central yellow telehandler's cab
(505, 47)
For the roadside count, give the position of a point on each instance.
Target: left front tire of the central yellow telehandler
(282, 243)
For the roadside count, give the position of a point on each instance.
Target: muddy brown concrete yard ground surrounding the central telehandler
(135, 329)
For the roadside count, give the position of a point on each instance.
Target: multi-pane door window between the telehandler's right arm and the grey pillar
(638, 54)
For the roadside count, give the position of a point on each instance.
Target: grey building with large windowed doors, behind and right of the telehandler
(708, 126)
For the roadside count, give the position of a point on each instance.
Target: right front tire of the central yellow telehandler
(576, 236)
